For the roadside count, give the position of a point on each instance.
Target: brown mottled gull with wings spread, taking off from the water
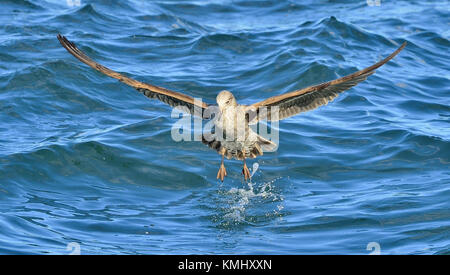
(229, 139)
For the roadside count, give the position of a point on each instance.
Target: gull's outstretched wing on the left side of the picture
(169, 97)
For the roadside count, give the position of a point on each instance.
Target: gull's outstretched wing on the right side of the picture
(309, 98)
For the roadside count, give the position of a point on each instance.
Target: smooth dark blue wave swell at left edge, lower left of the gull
(102, 161)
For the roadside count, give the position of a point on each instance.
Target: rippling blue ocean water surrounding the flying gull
(85, 159)
